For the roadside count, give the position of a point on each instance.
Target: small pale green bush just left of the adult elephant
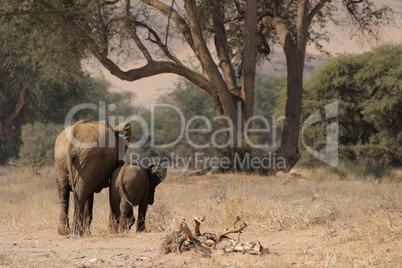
(38, 143)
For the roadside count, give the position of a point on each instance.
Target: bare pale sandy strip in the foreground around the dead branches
(45, 248)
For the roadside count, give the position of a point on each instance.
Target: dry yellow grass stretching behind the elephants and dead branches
(359, 219)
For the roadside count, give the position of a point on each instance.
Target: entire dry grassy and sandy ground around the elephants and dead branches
(303, 220)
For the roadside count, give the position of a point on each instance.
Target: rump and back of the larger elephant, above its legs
(87, 152)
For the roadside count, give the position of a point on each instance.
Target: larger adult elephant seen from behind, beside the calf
(86, 154)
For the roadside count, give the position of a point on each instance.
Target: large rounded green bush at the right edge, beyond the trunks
(369, 89)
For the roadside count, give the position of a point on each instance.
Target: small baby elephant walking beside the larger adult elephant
(131, 186)
